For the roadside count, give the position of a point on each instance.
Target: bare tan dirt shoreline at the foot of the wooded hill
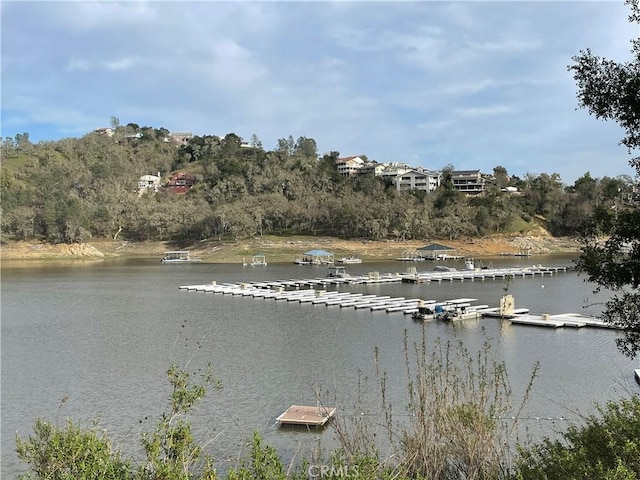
(285, 249)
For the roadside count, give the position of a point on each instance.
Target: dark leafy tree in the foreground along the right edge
(609, 90)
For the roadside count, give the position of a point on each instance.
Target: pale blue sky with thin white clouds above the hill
(467, 84)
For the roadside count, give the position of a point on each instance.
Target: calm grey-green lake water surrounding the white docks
(103, 334)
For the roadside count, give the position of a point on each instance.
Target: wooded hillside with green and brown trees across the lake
(76, 188)
